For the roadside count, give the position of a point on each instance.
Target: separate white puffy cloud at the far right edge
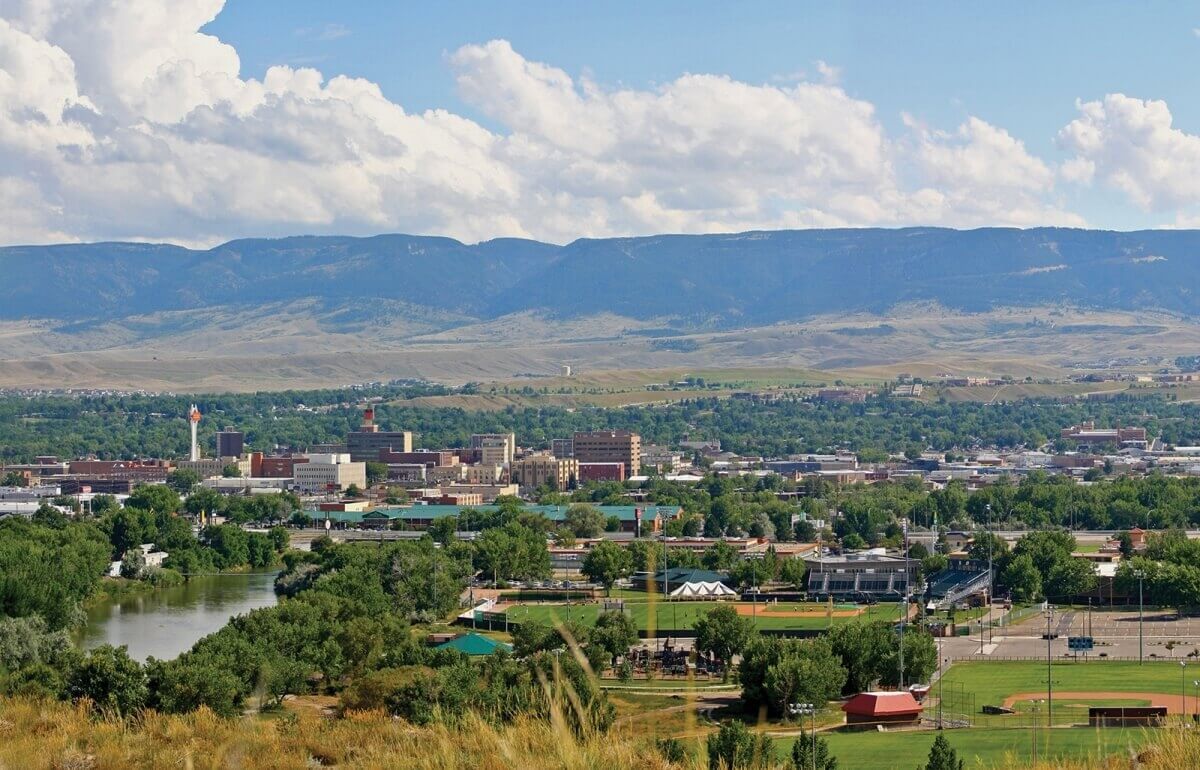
(1131, 145)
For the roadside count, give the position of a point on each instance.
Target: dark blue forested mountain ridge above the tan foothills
(695, 281)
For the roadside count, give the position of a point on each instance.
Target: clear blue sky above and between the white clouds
(1019, 65)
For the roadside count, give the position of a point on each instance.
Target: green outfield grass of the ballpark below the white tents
(682, 616)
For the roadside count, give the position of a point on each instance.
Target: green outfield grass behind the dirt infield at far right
(992, 683)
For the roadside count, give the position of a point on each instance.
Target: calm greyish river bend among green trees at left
(169, 622)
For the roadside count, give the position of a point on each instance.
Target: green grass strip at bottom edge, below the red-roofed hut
(874, 751)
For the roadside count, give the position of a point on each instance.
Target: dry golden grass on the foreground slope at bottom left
(52, 736)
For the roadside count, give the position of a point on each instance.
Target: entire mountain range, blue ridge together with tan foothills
(313, 311)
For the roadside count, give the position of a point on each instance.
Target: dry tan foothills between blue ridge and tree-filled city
(295, 346)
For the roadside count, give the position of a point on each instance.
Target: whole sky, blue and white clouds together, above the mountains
(197, 122)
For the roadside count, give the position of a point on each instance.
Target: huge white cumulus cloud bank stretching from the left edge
(121, 119)
